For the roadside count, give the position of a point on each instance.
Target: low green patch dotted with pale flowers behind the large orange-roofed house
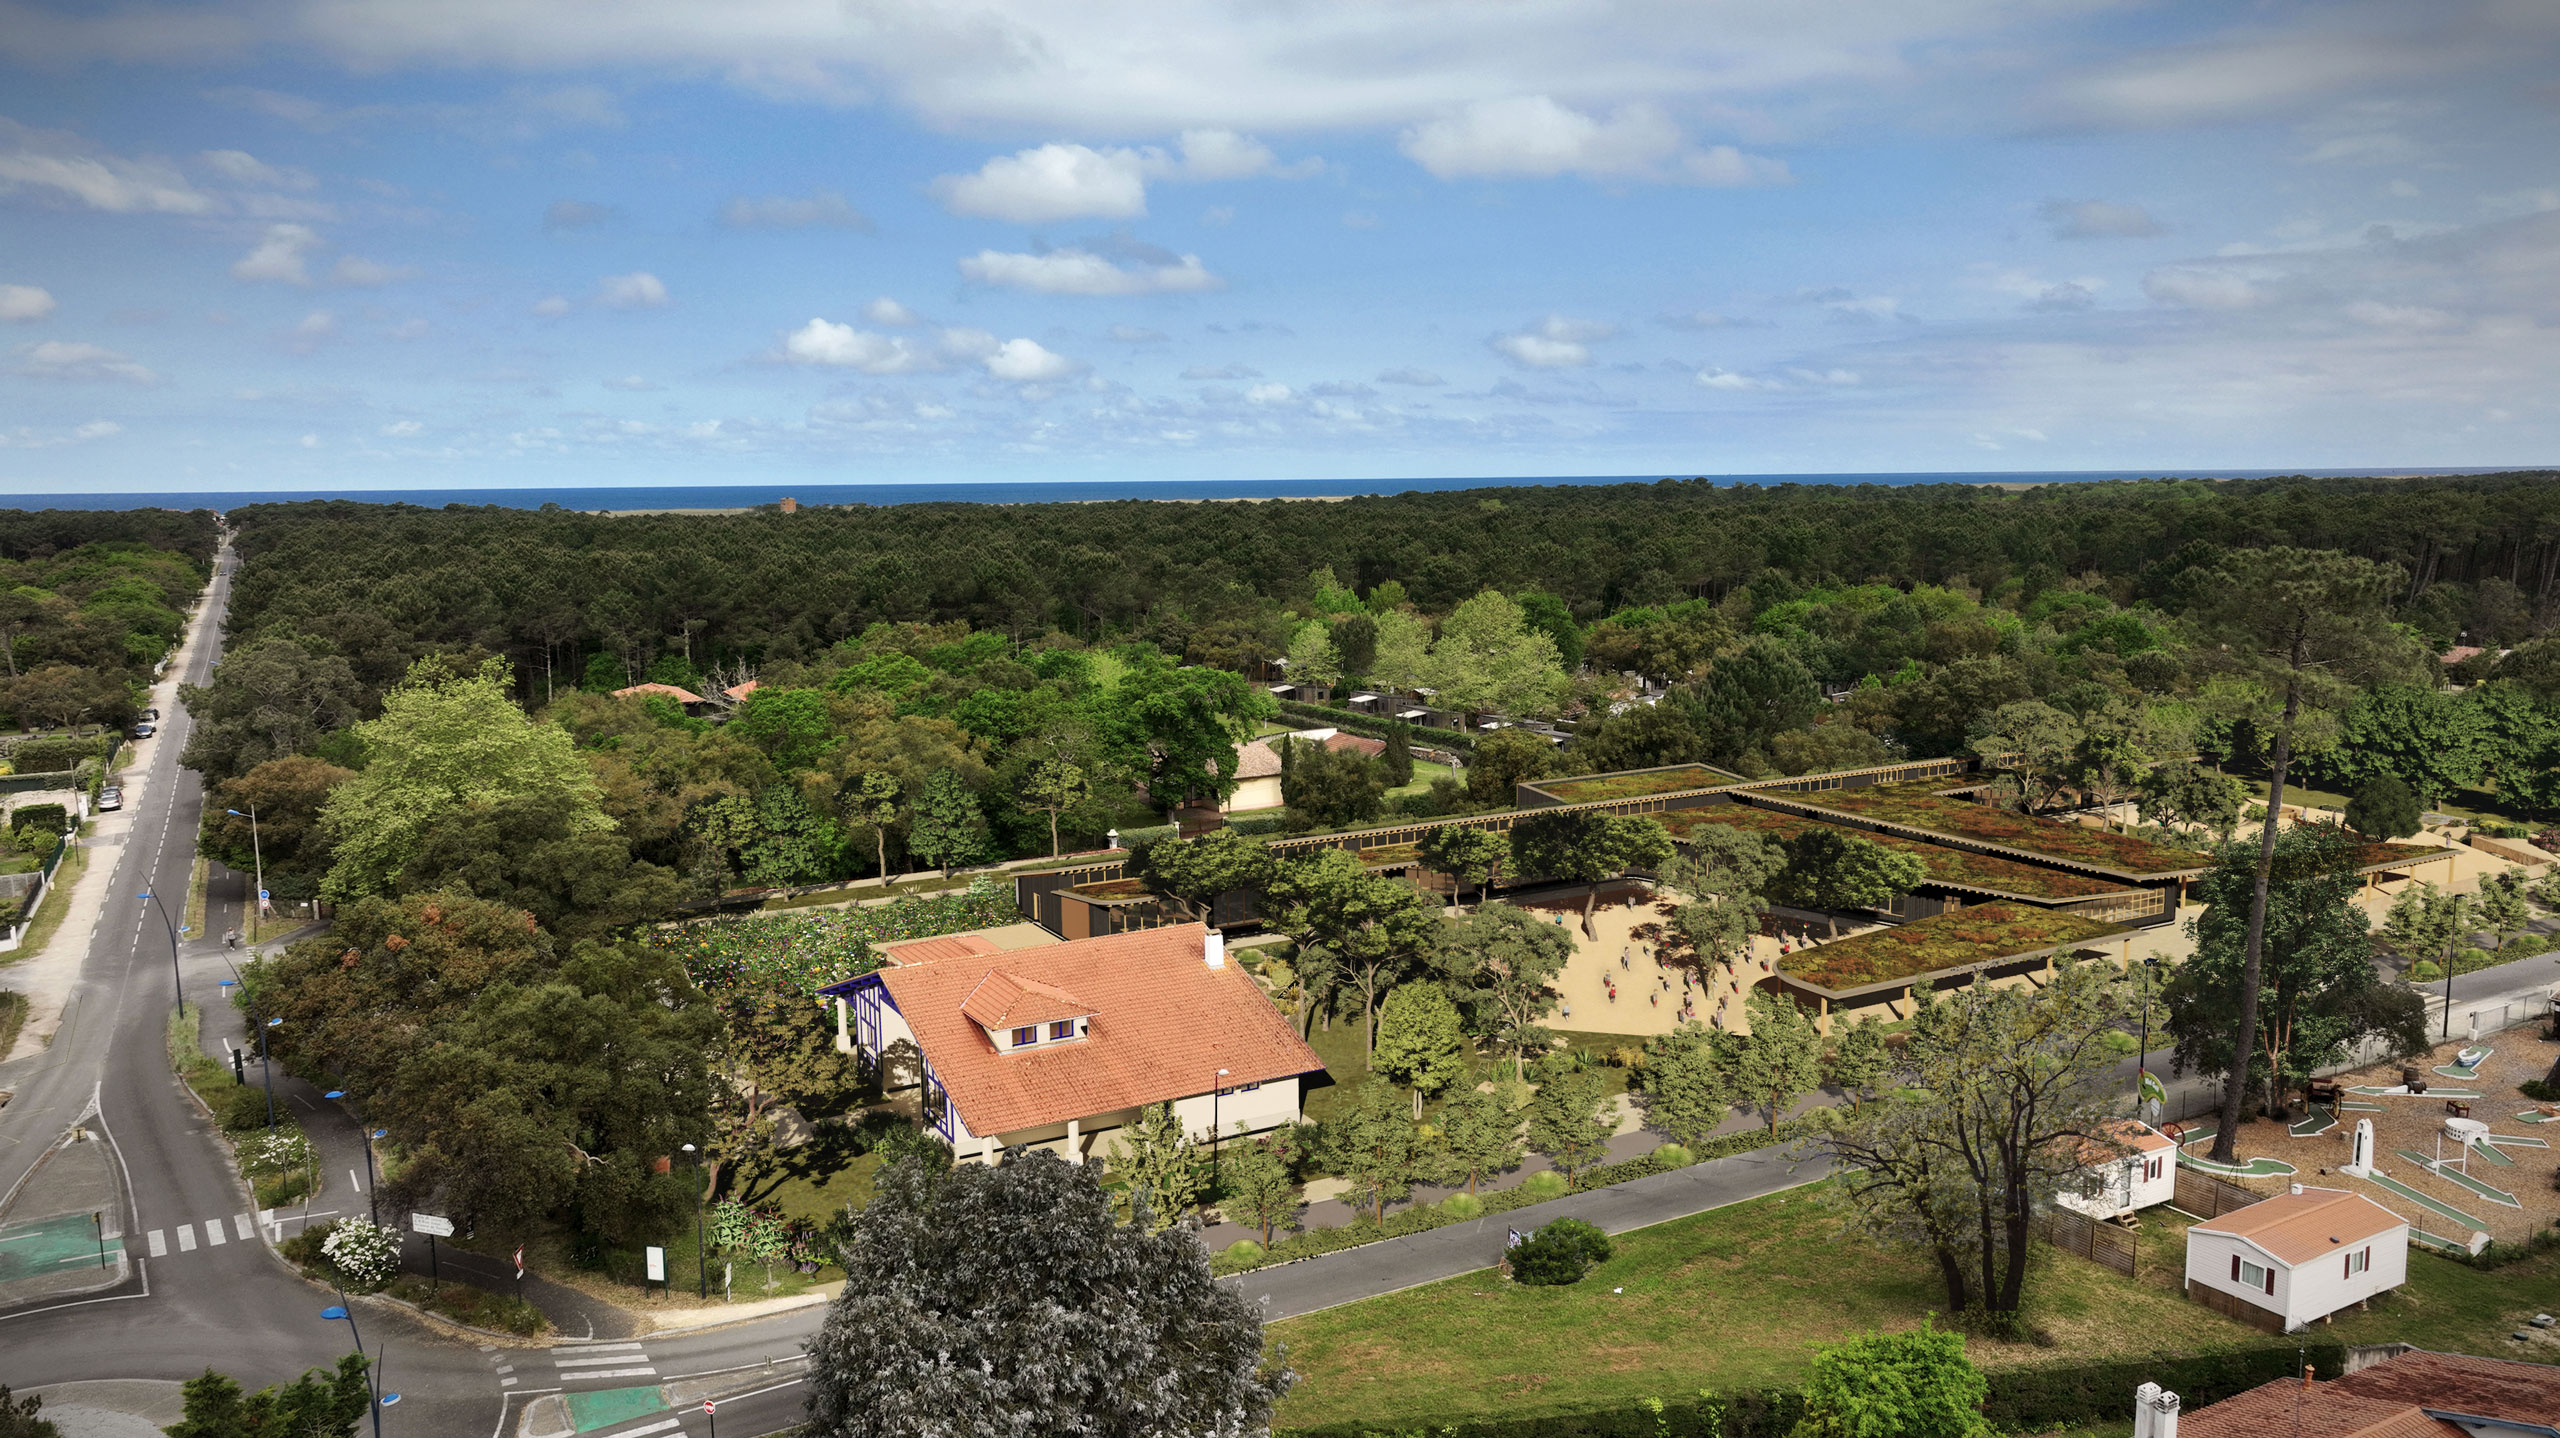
(813, 951)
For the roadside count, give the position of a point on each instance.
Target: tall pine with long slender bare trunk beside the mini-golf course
(2298, 628)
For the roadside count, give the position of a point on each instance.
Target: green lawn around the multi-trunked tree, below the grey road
(1734, 1301)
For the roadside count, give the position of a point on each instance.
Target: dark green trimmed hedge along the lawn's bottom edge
(2021, 1401)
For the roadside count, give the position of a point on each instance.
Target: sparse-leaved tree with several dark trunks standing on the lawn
(1988, 1107)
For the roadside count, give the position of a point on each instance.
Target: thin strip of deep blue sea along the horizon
(1053, 493)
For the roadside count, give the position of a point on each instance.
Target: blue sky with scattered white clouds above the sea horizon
(367, 244)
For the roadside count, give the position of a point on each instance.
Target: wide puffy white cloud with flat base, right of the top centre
(1537, 137)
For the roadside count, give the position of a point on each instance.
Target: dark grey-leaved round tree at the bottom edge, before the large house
(1007, 1293)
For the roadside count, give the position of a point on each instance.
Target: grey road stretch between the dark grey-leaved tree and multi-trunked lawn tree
(1371, 1270)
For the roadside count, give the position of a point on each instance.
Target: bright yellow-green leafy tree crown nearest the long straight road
(447, 743)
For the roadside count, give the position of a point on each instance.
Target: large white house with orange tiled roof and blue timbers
(1061, 1048)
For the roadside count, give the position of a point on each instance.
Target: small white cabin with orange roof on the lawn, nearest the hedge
(2298, 1258)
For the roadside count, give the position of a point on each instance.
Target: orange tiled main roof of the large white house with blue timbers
(1164, 1025)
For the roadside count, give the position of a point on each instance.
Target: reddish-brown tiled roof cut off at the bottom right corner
(2413, 1396)
